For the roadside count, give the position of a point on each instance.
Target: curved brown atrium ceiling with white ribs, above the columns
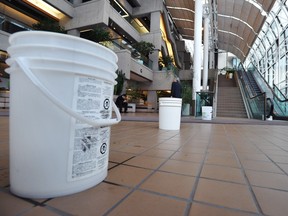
(235, 24)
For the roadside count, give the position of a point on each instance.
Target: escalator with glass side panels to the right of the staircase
(261, 100)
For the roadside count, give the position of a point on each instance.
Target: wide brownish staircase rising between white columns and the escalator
(229, 99)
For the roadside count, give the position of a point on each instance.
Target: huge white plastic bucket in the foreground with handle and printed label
(60, 115)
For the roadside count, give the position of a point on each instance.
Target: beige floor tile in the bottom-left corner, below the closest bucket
(12, 205)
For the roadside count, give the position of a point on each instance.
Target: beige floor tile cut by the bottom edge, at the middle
(146, 204)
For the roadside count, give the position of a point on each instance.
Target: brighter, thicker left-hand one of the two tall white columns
(197, 46)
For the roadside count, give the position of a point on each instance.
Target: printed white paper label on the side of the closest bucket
(89, 146)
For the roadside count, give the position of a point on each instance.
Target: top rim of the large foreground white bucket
(41, 34)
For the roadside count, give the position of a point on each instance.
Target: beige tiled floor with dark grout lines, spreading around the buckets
(202, 169)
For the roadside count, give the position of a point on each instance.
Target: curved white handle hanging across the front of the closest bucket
(49, 95)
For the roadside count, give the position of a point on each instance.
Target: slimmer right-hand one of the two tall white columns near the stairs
(206, 50)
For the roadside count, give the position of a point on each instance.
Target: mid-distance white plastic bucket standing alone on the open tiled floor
(170, 113)
